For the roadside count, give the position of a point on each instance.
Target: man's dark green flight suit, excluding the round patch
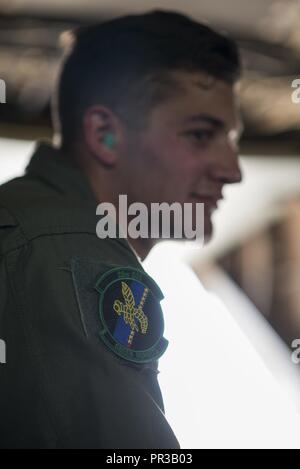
(61, 386)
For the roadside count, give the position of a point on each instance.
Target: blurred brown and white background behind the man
(232, 309)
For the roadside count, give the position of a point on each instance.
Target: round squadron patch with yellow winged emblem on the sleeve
(131, 318)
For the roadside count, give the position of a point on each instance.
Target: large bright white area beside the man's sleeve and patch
(217, 390)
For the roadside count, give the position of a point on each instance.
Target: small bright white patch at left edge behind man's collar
(14, 157)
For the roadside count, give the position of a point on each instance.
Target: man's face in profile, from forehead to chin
(189, 150)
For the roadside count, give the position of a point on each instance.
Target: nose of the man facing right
(227, 168)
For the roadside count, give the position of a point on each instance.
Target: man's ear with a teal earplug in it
(101, 131)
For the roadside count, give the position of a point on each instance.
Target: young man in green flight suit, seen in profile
(145, 106)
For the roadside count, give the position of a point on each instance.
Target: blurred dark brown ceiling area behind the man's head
(30, 54)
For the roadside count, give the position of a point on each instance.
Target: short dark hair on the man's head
(126, 64)
